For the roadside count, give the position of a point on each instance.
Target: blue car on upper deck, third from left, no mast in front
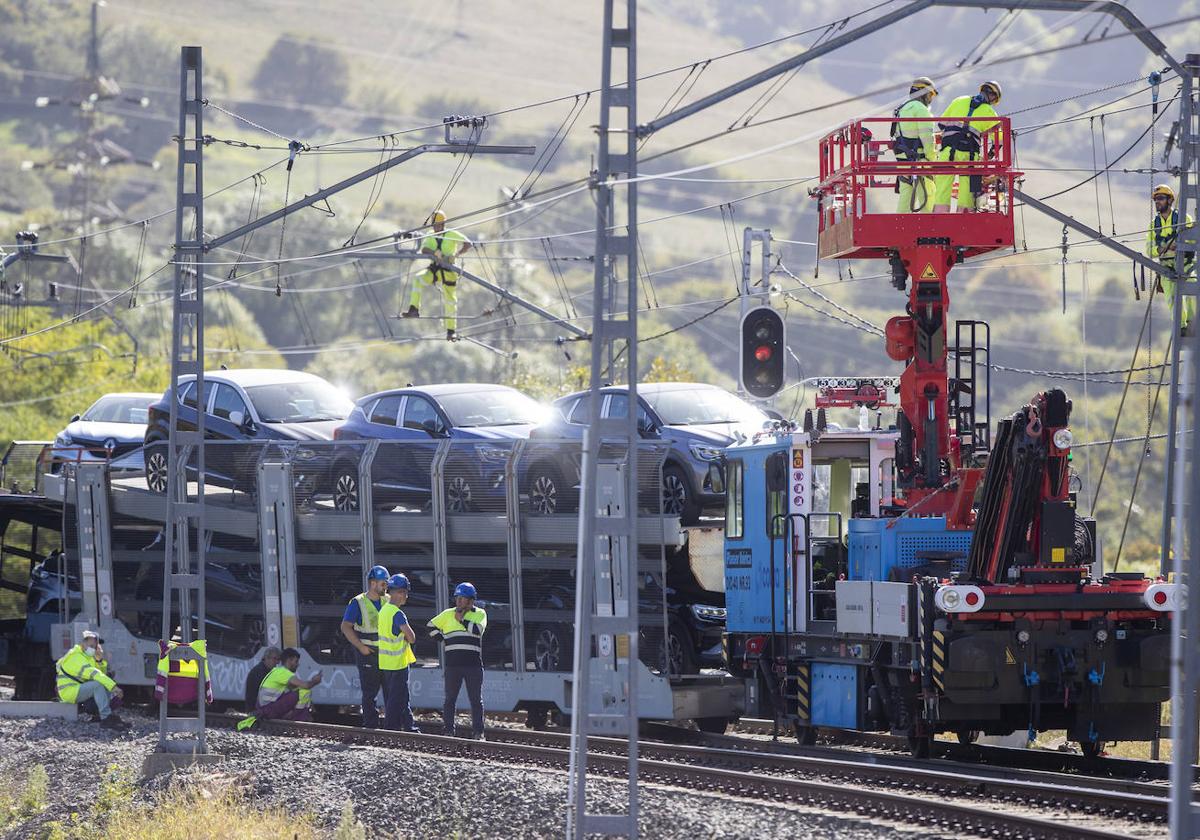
(482, 421)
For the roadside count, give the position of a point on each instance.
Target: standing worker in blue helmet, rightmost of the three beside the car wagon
(461, 632)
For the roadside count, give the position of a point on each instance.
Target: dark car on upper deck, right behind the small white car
(245, 406)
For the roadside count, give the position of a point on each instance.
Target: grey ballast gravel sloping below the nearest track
(395, 794)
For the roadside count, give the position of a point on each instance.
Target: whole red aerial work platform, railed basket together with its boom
(856, 208)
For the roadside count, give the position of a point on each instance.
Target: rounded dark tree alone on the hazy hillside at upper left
(299, 71)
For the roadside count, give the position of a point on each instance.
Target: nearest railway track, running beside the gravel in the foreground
(916, 796)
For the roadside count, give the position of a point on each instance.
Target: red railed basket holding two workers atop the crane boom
(855, 160)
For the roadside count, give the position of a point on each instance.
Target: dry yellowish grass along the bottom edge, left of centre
(213, 808)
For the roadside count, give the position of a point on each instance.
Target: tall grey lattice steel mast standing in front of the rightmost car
(607, 572)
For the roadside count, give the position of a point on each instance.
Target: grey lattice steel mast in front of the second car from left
(183, 568)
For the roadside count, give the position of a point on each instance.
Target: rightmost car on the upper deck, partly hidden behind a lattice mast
(698, 421)
